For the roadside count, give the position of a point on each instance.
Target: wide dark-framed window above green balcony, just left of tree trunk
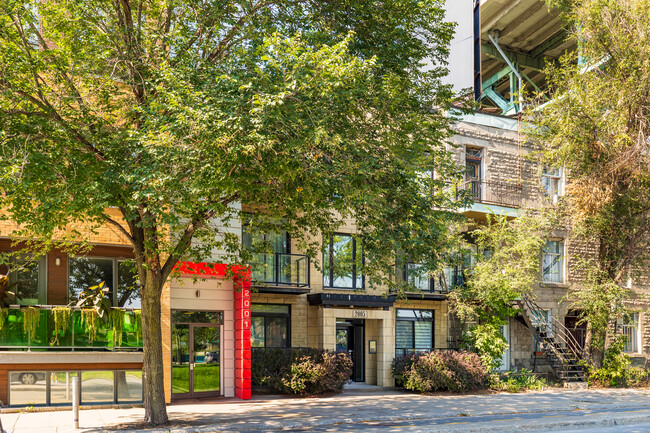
(85, 272)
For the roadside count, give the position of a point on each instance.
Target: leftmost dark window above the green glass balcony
(30, 278)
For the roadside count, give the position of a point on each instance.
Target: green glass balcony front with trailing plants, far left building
(56, 328)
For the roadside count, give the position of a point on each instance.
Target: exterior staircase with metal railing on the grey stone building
(559, 346)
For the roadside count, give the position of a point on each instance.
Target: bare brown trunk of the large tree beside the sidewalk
(155, 411)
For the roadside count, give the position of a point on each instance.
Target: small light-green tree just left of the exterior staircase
(507, 267)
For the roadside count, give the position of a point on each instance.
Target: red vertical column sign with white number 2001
(242, 338)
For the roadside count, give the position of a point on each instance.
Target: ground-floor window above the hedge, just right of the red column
(270, 324)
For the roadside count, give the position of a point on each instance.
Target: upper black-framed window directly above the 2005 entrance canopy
(342, 261)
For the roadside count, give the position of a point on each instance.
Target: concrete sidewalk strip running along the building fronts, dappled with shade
(275, 413)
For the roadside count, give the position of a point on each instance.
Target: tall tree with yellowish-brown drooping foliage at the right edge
(597, 128)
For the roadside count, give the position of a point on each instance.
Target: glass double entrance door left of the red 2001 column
(196, 355)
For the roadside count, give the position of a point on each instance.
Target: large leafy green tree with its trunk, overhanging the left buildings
(173, 112)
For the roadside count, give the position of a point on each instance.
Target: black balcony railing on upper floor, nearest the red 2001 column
(281, 269)
